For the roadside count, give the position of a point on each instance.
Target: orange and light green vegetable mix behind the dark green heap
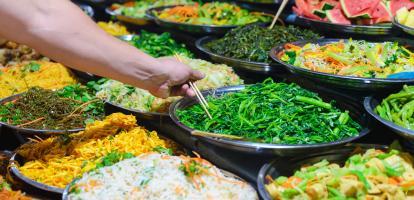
(214, 13)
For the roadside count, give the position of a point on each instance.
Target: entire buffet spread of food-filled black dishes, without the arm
(296, 118)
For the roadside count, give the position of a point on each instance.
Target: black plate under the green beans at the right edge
(370, 103)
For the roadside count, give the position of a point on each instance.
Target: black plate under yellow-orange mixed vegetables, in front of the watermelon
(346, 82)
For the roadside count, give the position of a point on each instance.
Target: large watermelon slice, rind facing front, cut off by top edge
(358, 8)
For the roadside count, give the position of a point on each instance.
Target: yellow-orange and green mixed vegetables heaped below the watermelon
(357, 58)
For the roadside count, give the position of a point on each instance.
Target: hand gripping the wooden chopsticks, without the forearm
(170, 78)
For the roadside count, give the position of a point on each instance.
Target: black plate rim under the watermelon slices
(370, 30)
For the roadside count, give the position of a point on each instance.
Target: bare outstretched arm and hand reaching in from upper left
(61, 31)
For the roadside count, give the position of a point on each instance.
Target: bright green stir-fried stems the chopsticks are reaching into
(271, 112)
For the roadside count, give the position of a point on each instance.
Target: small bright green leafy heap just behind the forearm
(159, 45)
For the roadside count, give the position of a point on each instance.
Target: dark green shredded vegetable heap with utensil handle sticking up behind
(253, 42)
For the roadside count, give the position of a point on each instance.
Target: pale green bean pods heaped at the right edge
(399, 108)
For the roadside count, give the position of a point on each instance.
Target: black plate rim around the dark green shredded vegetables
(236, 63)
